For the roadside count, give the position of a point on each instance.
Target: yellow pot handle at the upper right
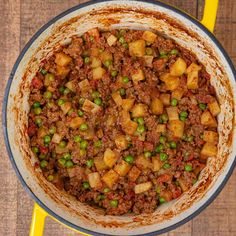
(209, 14)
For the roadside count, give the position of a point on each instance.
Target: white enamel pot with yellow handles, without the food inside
(185, 30)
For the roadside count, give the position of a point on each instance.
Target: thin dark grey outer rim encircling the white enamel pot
(5, 103)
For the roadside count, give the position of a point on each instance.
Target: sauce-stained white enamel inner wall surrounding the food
(67, 207)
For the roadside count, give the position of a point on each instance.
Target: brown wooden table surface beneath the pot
(19, 20)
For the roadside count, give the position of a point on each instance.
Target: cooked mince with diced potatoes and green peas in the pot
(123, 120)
